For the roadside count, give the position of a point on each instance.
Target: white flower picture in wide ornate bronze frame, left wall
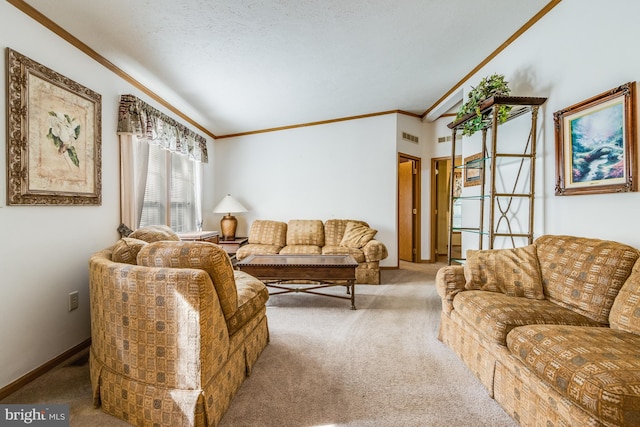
(54, 137)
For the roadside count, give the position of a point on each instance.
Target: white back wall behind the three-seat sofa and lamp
(339, 170)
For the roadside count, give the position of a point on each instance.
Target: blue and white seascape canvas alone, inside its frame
(597, 145)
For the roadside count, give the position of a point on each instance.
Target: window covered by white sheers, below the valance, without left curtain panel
(173, 191)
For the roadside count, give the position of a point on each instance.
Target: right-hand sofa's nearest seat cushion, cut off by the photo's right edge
(596, 368)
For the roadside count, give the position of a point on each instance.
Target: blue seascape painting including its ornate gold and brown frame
(596, 144)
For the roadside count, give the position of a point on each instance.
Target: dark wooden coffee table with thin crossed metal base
(273, 270)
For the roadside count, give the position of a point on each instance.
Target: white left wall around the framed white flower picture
(44, 250)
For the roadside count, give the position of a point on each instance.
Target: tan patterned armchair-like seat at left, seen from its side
(175, 329)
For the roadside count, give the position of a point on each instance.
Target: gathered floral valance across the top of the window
(139, 118)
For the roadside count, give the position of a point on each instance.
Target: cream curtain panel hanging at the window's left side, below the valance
(134, 162)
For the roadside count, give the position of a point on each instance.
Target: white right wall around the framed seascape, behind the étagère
(580, 49)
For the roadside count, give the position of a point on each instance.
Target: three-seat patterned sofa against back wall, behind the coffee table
(313, 237)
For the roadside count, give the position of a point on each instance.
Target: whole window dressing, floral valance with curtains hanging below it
(161, 168)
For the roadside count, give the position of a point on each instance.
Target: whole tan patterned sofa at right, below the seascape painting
(552, 330)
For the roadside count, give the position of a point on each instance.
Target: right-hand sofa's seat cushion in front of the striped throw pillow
(494, 314)
